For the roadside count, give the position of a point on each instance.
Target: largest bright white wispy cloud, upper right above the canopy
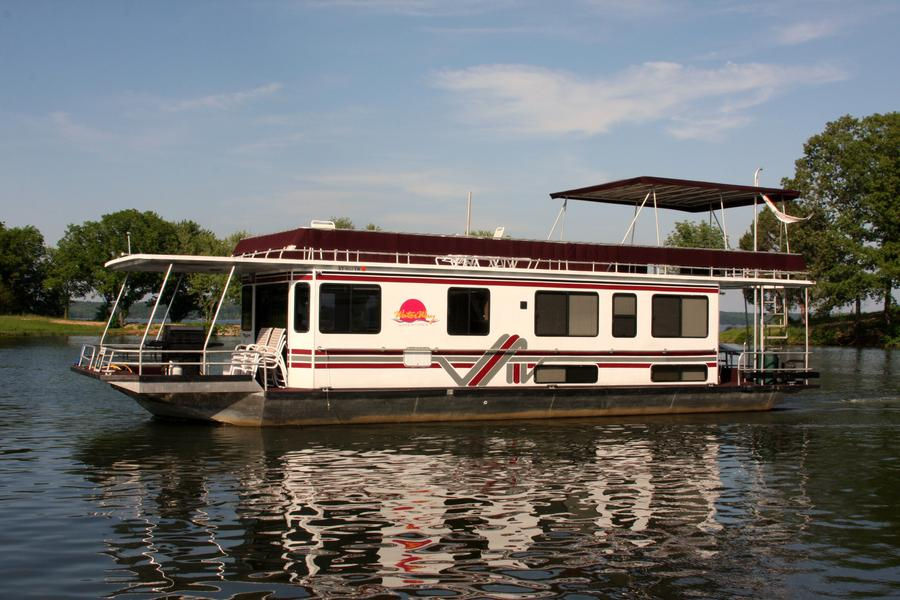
(524, 99)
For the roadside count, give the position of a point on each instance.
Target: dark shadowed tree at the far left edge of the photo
(24, 262)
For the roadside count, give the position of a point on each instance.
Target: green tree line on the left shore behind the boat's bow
(42, 280)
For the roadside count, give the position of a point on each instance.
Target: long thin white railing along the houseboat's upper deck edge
(495, 263)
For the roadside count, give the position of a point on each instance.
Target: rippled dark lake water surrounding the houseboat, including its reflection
(99, 499)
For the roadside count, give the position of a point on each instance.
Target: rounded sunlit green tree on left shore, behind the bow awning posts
(84, 250)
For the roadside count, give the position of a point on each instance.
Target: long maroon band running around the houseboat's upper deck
(377, 246)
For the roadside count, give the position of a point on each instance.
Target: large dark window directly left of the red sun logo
(345, 308)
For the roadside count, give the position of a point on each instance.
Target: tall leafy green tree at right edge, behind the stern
(849, 176)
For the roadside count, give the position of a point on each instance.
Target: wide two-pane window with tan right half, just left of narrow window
(571, 314)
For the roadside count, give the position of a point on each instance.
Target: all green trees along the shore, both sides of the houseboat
(848, 176)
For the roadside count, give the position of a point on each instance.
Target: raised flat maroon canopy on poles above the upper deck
(677, 194)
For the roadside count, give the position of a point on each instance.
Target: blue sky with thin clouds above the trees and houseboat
(261, 116)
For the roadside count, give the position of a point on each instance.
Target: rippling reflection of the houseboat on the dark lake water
(472, 510)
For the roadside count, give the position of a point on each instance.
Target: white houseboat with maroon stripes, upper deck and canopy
(347, 326)
